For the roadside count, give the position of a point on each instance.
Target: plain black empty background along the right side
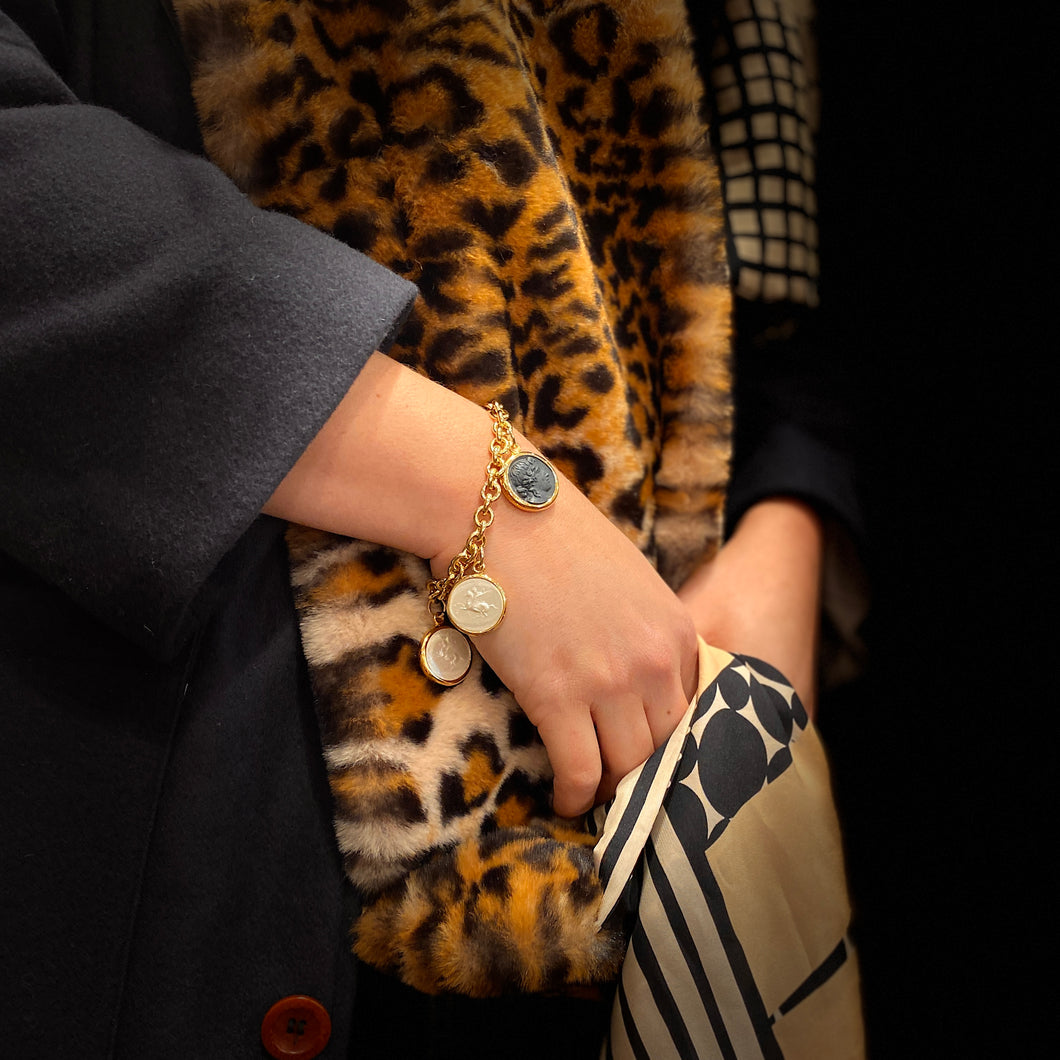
(935, 228)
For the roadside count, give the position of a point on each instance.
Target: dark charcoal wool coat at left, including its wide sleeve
(167, 351)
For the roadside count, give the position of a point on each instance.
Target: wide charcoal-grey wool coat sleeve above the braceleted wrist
(167, 352)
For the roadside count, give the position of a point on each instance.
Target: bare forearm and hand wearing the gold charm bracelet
(598, 651)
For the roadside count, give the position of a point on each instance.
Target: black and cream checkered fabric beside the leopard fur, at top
(764, 95)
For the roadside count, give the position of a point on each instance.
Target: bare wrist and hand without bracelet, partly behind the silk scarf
(761, 595)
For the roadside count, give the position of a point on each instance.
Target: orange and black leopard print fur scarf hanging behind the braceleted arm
(539, 169)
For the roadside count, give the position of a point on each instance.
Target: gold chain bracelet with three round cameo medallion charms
(467, 597)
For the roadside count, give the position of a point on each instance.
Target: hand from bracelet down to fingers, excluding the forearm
(596, 648)
